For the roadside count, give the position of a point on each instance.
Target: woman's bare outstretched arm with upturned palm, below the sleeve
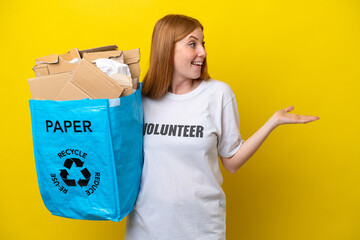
(252, 144)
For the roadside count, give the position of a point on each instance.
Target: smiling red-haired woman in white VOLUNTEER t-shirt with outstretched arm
(189, 120)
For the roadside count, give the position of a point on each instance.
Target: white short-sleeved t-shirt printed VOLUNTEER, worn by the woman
(180, 193)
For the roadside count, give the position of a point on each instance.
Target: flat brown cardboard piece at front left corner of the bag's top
(48, 87)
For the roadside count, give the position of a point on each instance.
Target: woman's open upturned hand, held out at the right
(283, 117)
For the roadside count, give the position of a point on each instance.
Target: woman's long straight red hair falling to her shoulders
(167, 31)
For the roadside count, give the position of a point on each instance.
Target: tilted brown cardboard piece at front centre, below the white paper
(93, 82)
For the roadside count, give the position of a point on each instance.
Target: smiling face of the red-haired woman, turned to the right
(189, 55)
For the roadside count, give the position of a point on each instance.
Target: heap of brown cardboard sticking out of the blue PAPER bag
(58, 79)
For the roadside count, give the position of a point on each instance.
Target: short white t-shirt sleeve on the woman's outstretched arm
(229, 140)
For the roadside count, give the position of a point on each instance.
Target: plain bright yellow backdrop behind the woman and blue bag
(303, 183)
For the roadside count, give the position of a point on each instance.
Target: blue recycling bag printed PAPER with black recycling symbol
(88, 155)
